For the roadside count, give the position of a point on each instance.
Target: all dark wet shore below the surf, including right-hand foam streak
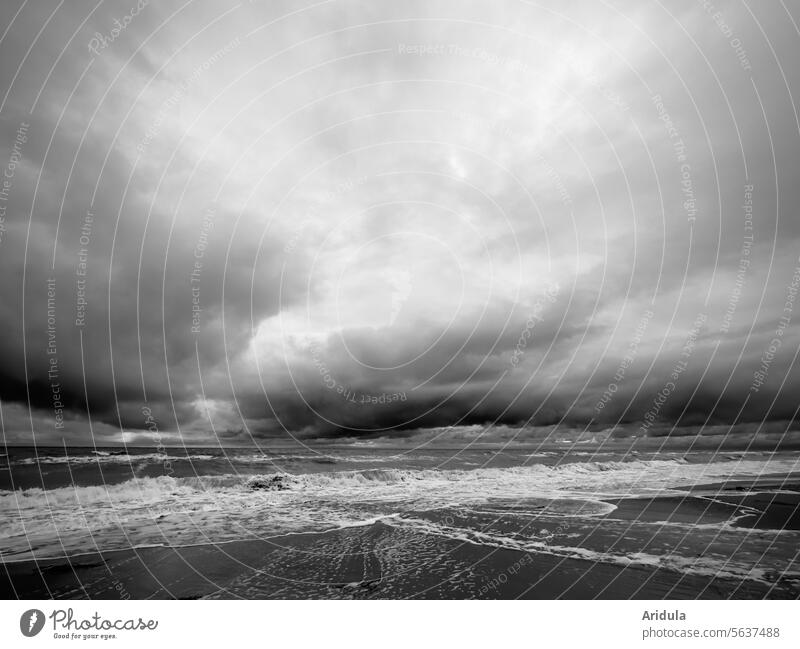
(733, 539)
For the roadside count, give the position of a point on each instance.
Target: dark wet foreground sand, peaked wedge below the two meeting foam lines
(372, 562)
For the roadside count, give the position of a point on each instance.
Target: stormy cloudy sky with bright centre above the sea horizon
(251, 222)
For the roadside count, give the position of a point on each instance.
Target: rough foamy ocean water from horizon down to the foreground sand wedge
(695, 513)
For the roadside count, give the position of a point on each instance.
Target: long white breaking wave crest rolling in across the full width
(612, 478)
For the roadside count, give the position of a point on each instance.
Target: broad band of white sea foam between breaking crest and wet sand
(218, 508)
